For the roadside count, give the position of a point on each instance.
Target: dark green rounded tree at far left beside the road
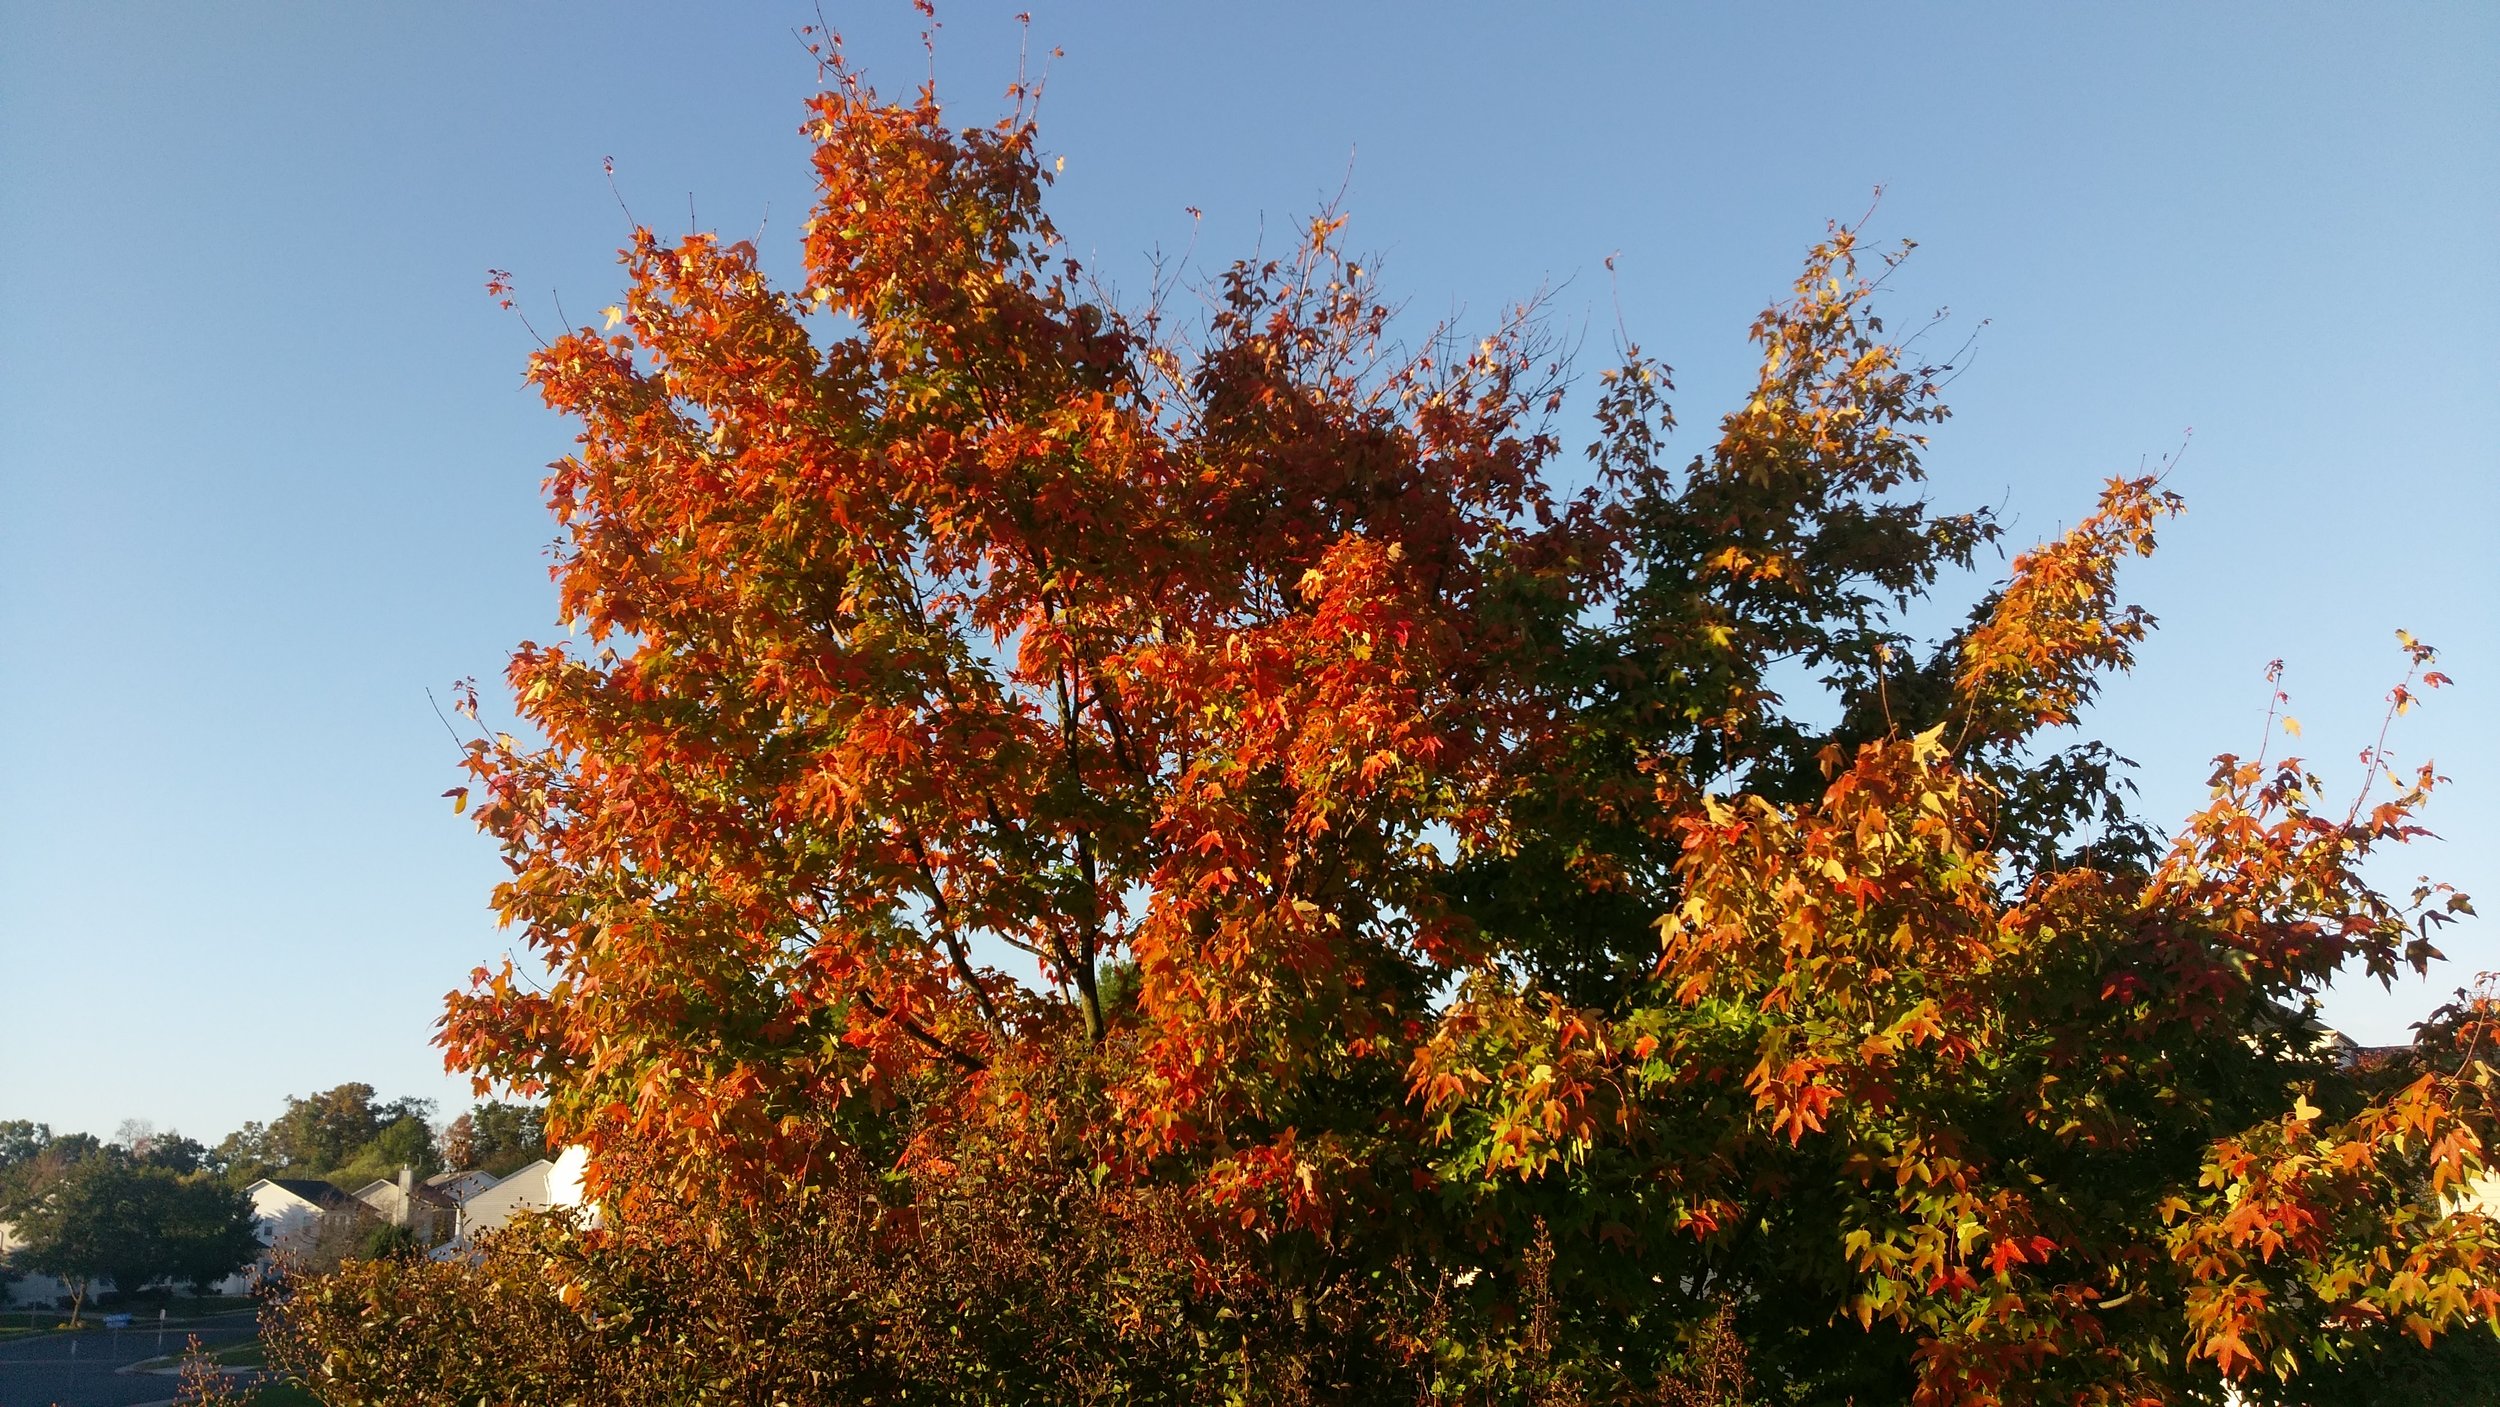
(129, 1223)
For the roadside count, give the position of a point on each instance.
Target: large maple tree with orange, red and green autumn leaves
(1486, 921)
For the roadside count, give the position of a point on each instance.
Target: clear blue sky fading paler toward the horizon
(269, 471)
